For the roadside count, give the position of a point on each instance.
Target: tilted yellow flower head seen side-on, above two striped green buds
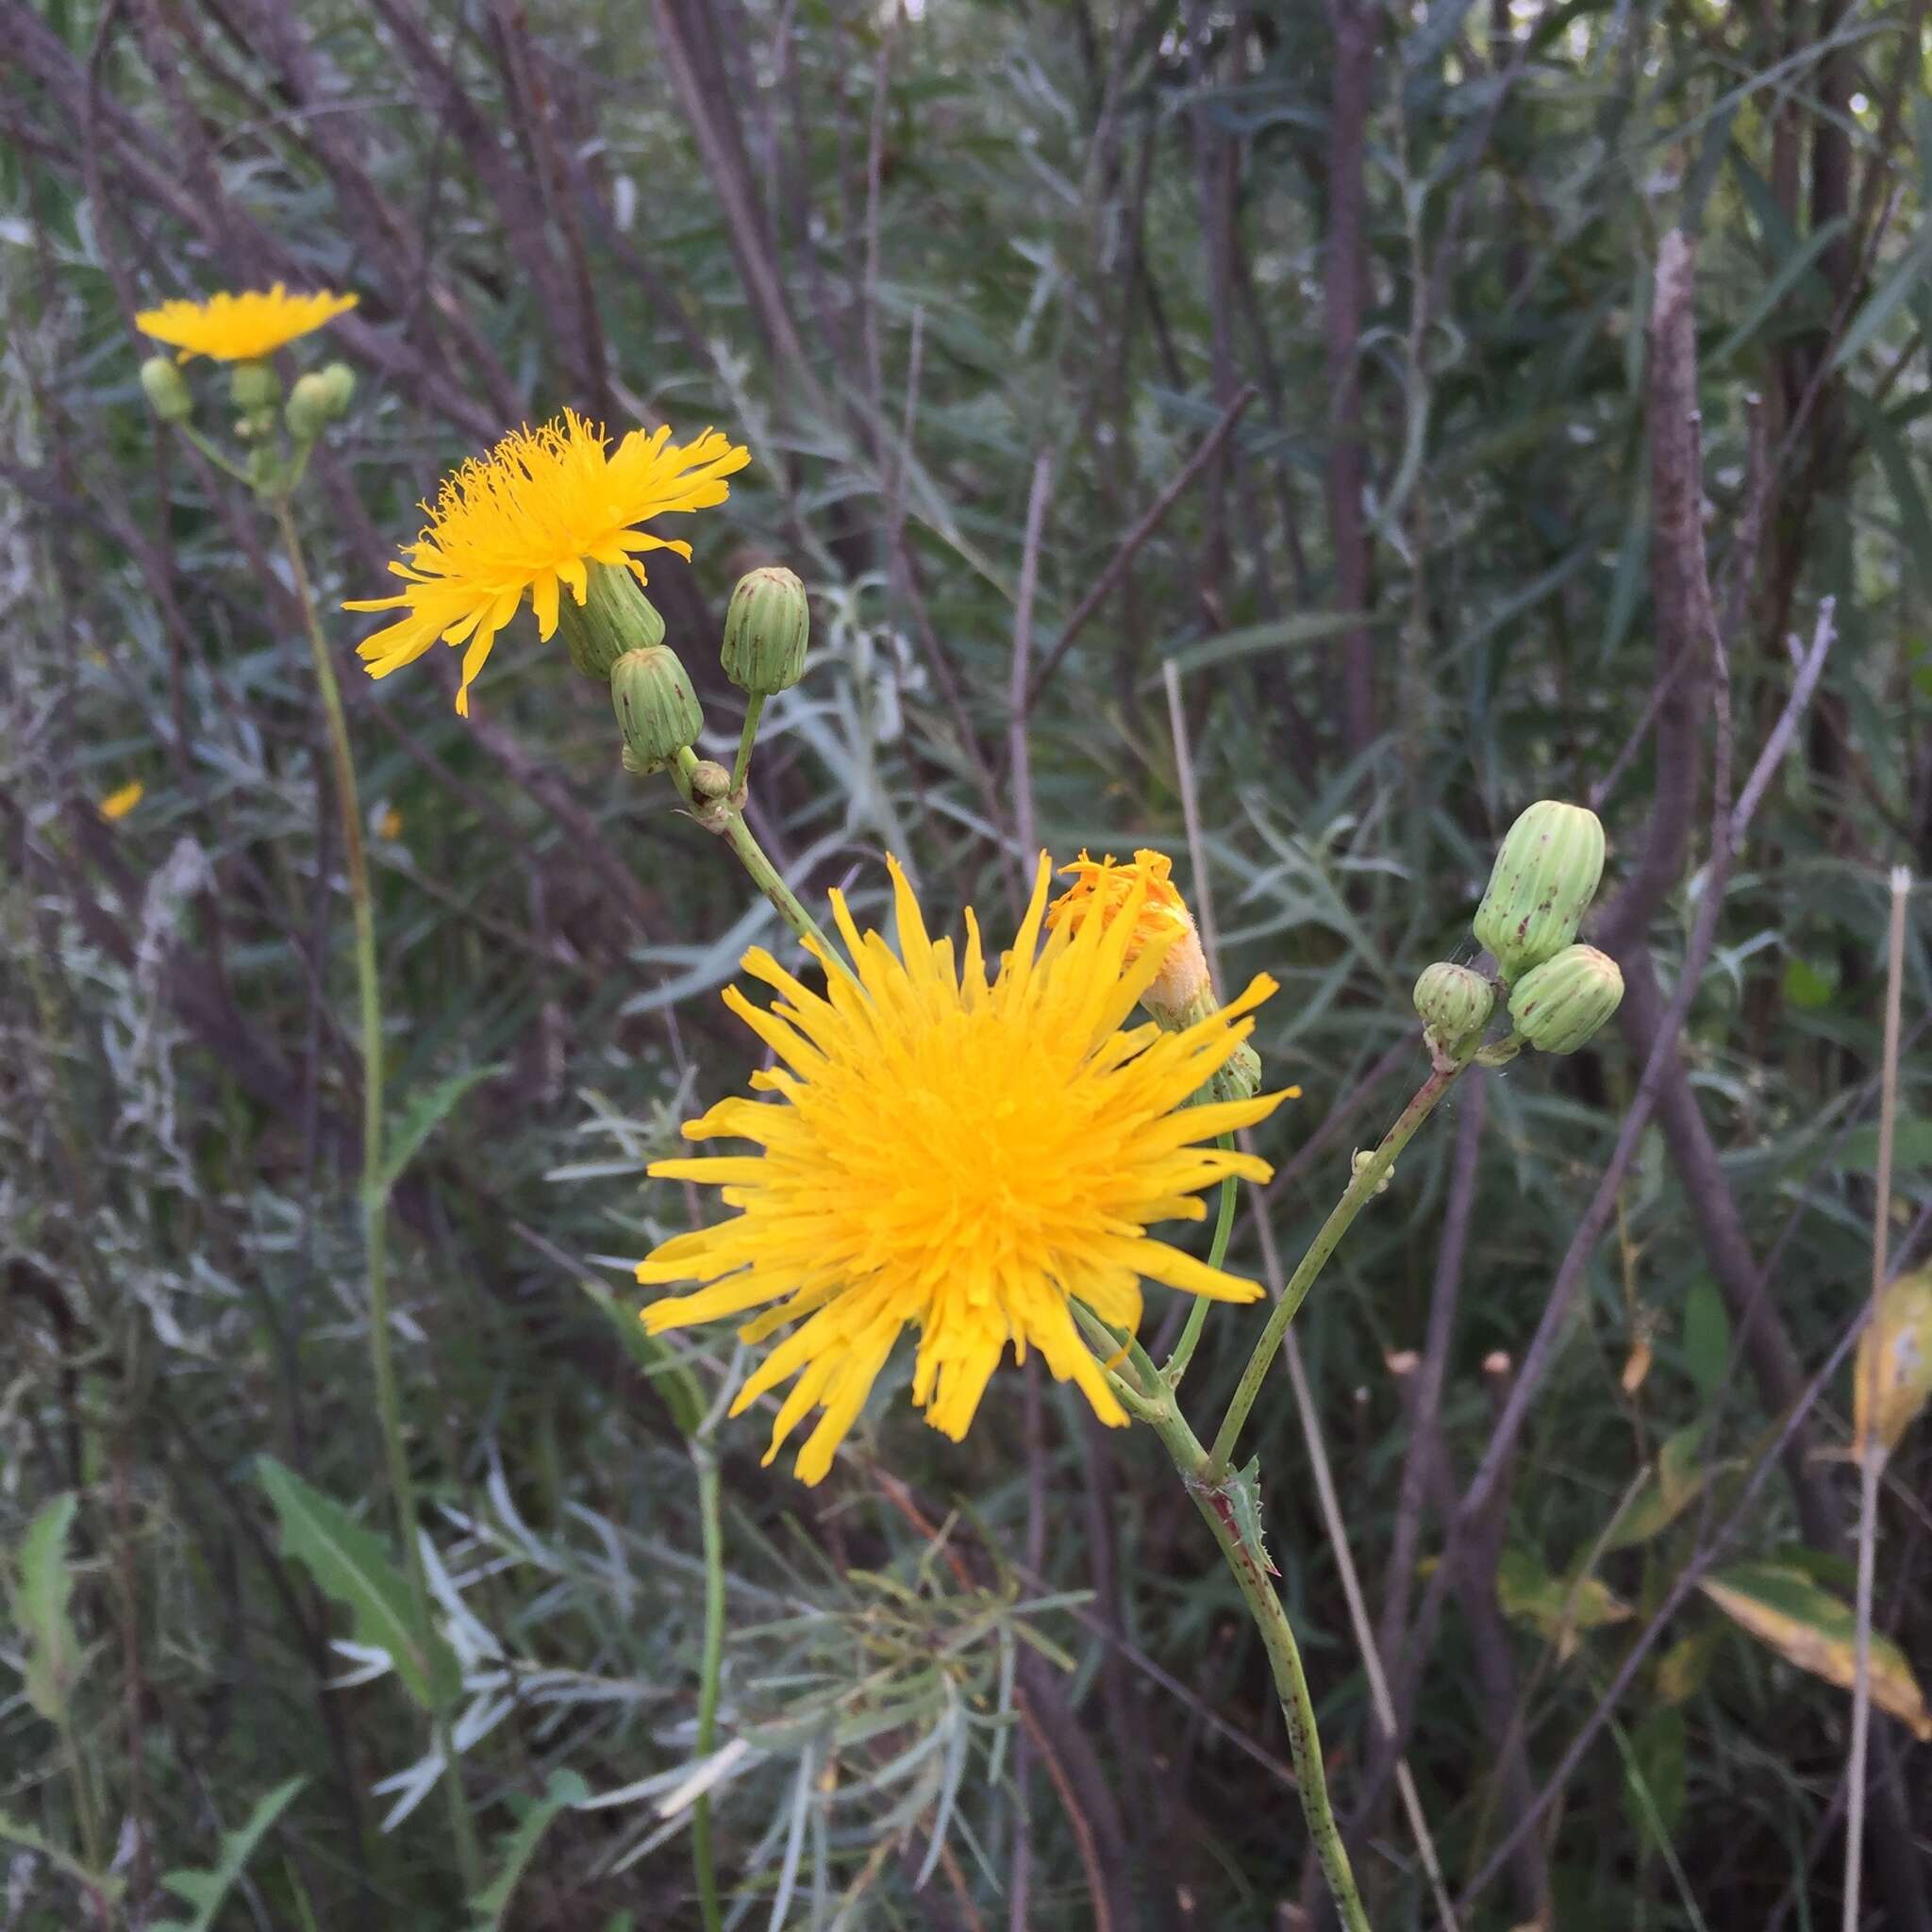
(530, 519)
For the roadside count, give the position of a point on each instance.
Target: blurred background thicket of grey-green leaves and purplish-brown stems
(1301, 355)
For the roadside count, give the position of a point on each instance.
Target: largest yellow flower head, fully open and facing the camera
(955, 1156)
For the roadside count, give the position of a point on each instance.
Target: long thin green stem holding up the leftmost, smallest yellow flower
(376, 1201)
